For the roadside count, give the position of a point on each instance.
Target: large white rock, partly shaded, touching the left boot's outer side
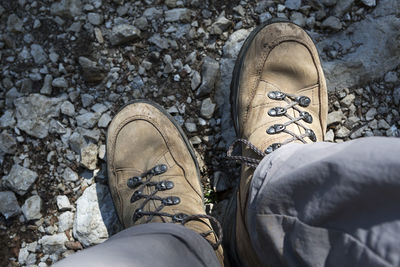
(94, 215)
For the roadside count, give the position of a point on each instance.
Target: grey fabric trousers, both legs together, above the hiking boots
(320, 204)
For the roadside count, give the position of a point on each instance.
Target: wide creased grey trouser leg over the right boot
(327, 204)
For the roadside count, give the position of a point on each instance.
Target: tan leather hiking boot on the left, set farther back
(153, 172)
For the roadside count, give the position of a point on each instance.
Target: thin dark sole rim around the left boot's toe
(177, 126)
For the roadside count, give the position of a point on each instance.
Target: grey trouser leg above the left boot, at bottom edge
(153, 244)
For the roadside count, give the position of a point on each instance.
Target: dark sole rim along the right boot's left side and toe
(234, 97)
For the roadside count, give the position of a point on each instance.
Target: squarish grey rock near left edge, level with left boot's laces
(20, 179)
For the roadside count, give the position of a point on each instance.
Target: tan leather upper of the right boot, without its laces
(281, 57)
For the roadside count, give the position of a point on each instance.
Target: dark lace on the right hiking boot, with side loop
(292, 102)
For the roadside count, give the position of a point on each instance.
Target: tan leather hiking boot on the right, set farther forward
(278, 95)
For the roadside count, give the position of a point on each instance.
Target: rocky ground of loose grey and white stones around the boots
(68, 66)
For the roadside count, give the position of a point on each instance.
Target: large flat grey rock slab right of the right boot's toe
(365, 59)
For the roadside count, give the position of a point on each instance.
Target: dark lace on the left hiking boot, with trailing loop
(138, 183)
